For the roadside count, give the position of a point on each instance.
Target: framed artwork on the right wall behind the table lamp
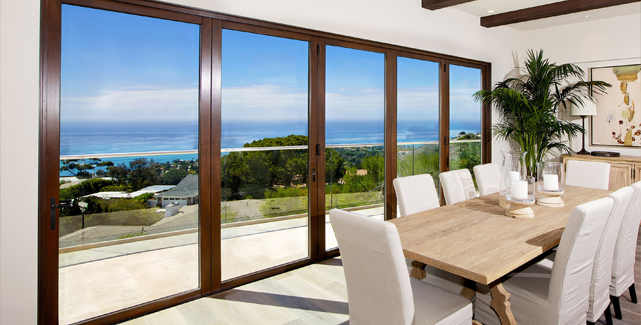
(617, 122)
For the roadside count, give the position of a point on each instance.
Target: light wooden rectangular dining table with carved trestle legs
(476, 240)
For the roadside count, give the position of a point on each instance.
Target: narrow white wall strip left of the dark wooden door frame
(19, 60)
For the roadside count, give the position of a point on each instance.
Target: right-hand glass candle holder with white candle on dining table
(550, 184)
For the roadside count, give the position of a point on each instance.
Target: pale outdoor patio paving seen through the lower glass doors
(105, 279)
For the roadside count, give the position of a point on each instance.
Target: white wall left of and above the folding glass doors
(401, 22)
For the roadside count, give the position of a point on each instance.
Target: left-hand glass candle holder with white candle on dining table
(521, 195)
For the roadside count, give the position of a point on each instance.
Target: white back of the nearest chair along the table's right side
(570, 279)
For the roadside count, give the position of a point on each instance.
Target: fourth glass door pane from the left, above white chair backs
(418, 118)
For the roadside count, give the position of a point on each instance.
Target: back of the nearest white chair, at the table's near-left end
(378, 283)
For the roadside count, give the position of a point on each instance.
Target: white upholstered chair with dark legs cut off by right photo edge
(624, 253)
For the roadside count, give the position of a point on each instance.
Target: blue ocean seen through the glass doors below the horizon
(84, 138)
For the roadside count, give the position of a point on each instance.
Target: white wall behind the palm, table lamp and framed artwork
(598, 43)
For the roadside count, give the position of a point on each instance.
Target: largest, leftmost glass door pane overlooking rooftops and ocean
(128, 161)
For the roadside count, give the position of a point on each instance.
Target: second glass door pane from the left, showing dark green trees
(265, 157)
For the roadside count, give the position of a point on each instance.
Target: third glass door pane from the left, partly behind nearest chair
(354, 133)
